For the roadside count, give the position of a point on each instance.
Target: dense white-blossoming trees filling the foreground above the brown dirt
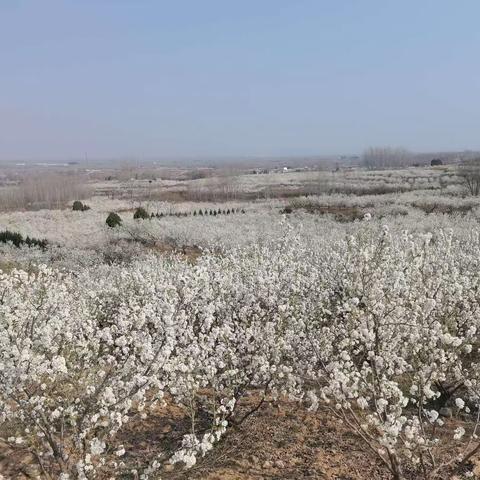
(383, 329)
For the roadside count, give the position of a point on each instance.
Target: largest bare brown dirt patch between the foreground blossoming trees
(284, 444)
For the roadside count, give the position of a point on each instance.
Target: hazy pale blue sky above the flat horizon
(246, 77)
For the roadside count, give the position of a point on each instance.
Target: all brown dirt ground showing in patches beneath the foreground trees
(276, 443)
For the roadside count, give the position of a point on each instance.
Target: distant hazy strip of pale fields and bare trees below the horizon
(35, 186)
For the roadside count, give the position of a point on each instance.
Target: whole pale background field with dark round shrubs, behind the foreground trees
(37, 202)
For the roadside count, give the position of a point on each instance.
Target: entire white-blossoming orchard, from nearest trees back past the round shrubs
(363, 308)
